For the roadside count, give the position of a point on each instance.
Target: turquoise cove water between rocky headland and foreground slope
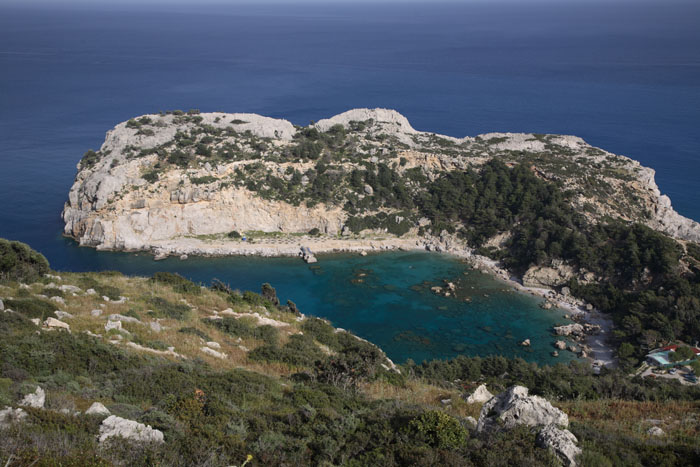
(384, 298)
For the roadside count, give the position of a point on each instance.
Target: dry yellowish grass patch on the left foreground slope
(138, 290)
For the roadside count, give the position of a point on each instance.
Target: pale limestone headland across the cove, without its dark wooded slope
(170, 176)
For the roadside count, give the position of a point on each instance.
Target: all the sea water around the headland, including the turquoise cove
(624, 76)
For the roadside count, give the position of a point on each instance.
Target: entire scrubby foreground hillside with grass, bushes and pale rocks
(103, 369)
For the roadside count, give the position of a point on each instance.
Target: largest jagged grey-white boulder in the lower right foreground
(514, 407)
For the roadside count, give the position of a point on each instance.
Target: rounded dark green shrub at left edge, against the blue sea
(18, 262)
